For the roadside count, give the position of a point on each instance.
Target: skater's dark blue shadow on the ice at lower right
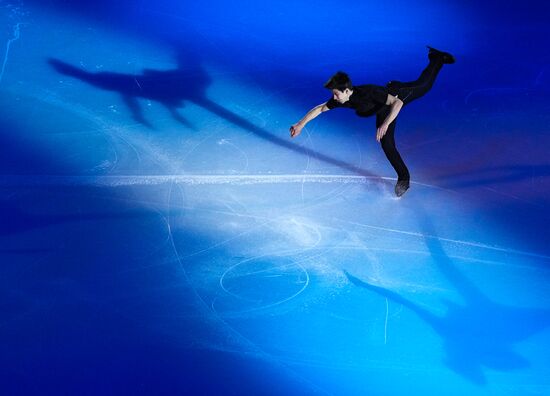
(477, 334)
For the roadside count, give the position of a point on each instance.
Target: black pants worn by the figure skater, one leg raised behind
(407, 92)
